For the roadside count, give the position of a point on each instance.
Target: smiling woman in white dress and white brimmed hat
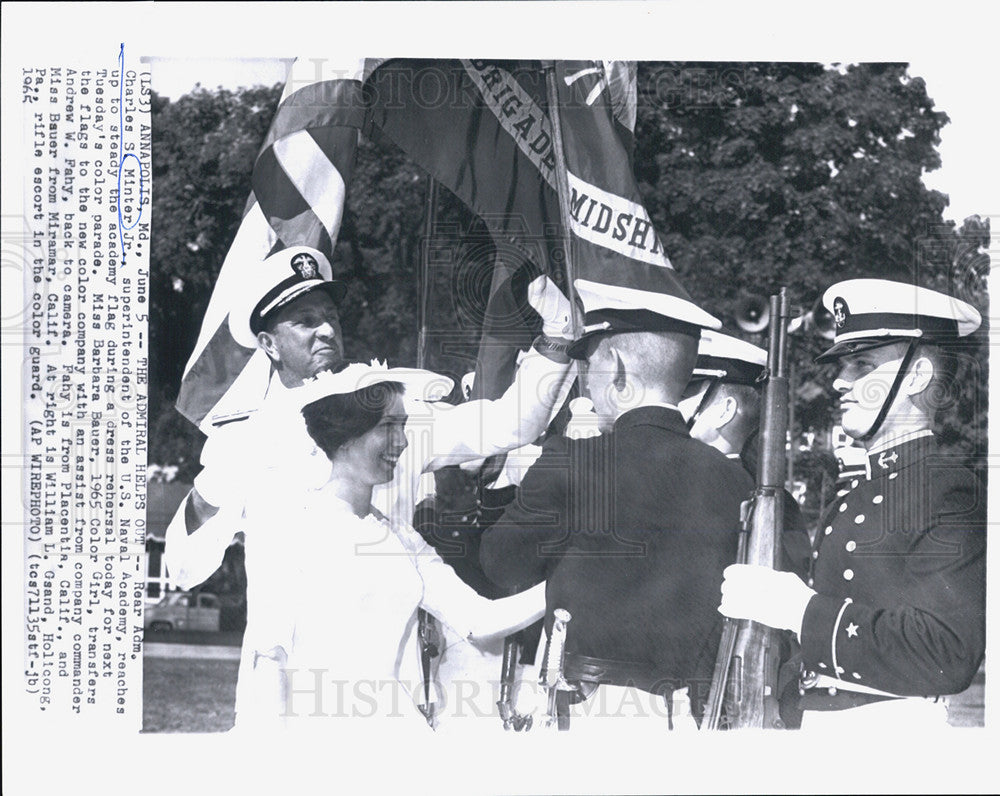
(340, 635)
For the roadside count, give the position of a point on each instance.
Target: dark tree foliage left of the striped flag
(204, 145)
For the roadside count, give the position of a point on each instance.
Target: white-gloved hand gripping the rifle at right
(776, 599)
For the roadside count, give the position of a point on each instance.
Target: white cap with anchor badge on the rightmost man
(869, 313)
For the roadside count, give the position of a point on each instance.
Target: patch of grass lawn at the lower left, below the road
(185, 695)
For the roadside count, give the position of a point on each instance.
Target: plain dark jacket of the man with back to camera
(631, 530)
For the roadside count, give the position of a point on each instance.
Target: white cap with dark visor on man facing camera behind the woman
(280, 279)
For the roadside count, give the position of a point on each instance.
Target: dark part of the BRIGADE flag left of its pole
(435, 111)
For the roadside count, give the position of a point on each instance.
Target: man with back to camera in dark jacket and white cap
(631, 529)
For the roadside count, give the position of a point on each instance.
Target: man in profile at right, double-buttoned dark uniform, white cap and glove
(892, 616)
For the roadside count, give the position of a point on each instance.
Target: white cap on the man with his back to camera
(616, 308)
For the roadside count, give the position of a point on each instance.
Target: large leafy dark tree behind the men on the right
(760, 175)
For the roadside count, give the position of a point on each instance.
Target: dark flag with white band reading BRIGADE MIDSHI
(484, 130)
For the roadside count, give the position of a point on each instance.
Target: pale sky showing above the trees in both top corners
(967, 151)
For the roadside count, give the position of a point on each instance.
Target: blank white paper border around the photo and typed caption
(36, 759)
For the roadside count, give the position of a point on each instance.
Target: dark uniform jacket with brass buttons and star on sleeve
(899, 567)
